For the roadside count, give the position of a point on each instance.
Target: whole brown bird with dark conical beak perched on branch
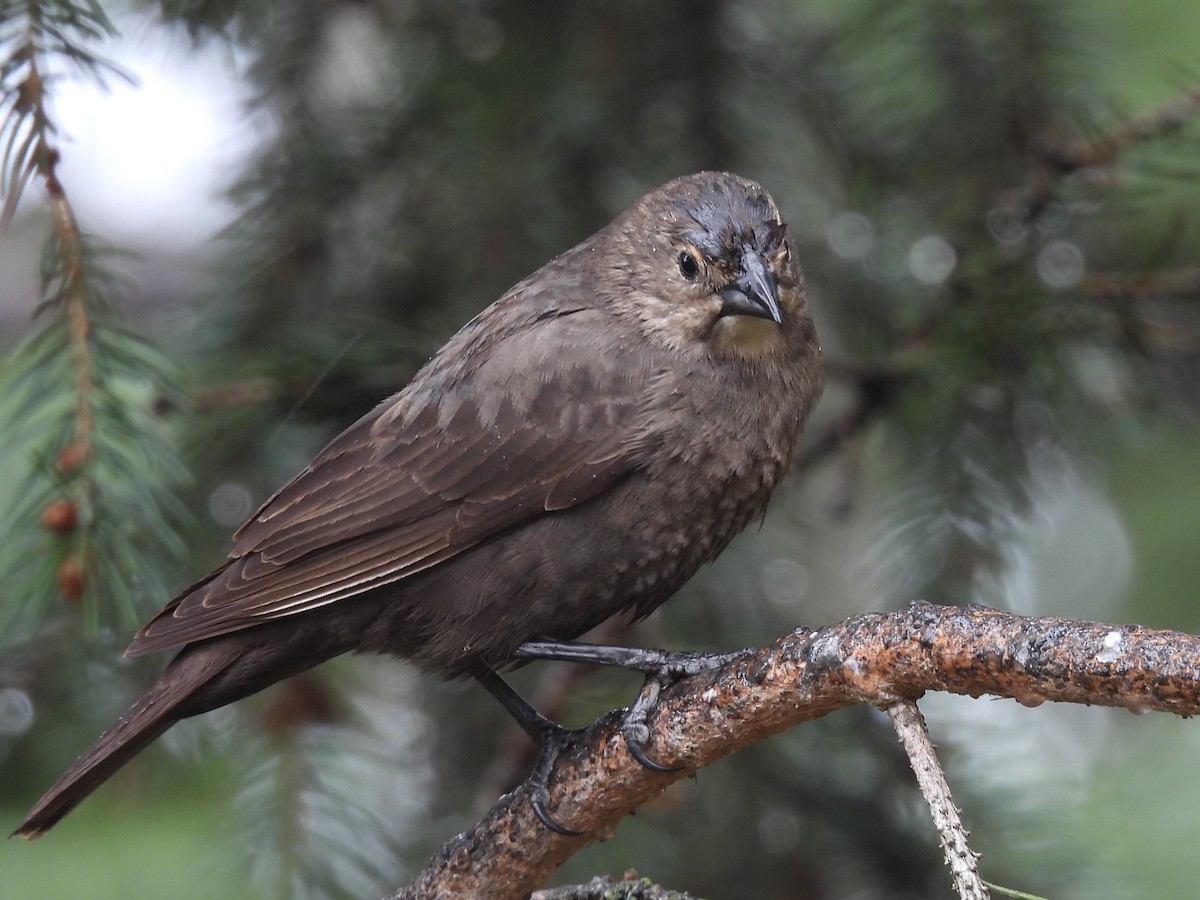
(574, 453)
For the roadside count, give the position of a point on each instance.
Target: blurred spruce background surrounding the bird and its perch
(286, 208)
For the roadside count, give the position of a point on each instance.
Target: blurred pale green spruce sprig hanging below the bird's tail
(327, 809)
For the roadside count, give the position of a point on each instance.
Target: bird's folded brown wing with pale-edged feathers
(466, 453)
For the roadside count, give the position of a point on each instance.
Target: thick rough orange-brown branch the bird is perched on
(874, 658)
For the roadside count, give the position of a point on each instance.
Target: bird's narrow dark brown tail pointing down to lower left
(152, 716)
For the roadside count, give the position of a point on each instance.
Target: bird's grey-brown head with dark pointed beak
(709, 261)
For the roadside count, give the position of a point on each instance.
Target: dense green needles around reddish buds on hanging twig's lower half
(122, 489)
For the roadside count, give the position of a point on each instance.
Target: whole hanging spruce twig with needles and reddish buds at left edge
(92, 469)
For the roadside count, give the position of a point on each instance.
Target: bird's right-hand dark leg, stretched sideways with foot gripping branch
(662, 669)
